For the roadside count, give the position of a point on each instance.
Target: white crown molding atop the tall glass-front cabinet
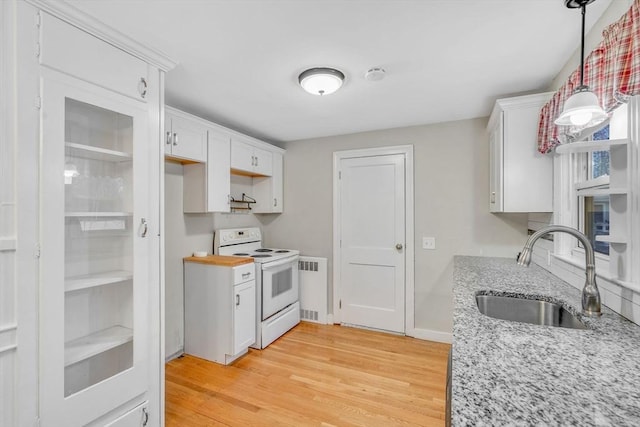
(93, 26)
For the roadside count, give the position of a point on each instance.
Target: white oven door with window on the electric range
(279, 285)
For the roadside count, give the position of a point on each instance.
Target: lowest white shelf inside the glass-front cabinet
(91, 345)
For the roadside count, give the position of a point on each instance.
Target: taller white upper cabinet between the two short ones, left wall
(207, 185)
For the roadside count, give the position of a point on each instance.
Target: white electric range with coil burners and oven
(277, 288)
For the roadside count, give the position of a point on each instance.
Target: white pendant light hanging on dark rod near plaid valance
(582, 108)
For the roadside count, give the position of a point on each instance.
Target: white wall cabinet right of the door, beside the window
(520, 178)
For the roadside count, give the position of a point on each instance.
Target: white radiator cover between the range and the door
(313, 289)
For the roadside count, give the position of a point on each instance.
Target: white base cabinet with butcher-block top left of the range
(220, 309)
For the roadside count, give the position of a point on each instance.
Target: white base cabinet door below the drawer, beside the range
(244, 316)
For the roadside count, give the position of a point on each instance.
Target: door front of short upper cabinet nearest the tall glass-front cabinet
(188, 139)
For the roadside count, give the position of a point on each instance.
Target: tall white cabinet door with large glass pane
(95, 254)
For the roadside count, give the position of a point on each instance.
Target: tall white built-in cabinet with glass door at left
(99, 332)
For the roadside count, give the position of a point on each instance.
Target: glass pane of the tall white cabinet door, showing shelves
(98, 302)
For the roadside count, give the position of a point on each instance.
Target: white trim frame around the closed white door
(407, 151)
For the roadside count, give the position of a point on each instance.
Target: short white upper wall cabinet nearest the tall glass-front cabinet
(185, 137)
